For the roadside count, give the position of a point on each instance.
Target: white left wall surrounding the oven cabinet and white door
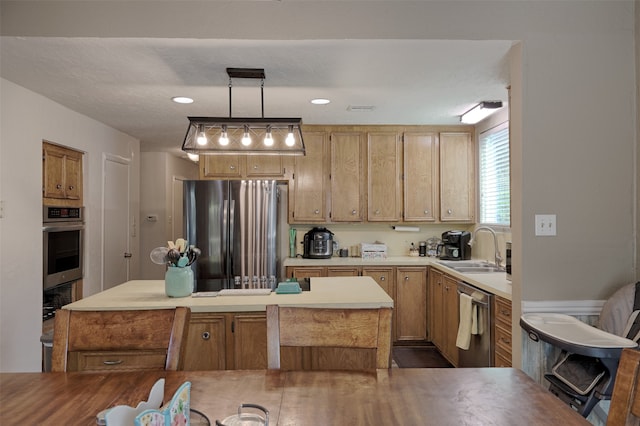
(27, 119)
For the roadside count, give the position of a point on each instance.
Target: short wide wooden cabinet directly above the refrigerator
(242, 166)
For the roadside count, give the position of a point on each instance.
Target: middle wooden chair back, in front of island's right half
(329, 328)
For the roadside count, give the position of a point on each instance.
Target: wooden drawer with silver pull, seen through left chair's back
(121, 360)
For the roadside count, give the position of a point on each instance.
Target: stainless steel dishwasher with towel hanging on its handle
(480, 348)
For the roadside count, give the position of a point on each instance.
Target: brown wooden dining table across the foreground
(409, 396)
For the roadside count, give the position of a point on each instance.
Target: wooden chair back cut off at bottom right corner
(625, 400)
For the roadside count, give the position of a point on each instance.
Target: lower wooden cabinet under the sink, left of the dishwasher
(444, 314)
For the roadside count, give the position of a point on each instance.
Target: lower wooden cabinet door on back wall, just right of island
(411, 303)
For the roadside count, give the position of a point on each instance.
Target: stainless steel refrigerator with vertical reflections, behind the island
(234, 223)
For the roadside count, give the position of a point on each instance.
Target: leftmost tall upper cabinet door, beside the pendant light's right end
(307, 199)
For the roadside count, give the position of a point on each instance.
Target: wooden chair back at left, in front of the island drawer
(125, 340)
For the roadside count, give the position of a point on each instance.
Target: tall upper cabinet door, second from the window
(420, 177)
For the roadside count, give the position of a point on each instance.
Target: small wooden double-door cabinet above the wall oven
(61, 175)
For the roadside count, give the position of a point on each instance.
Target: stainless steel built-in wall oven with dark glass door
(63, 244)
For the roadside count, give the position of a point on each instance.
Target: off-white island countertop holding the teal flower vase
(337, 292)
